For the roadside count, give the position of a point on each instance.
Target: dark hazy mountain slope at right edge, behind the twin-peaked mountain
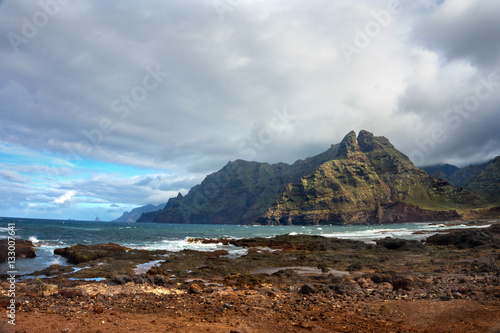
(482, 179)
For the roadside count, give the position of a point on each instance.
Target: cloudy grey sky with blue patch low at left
(110, 105)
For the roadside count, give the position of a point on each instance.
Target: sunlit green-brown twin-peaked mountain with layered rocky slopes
(369, 181)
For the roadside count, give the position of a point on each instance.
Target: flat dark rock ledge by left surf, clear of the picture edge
(77, 254)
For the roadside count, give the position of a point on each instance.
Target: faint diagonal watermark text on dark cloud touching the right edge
(453, 117)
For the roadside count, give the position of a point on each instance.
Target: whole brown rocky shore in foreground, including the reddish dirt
(451, 282)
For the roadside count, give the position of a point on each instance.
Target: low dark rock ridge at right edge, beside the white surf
(465, 239)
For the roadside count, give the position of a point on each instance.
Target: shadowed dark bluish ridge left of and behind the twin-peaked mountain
(239, 193)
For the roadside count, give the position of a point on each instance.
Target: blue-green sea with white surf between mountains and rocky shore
(48, 235)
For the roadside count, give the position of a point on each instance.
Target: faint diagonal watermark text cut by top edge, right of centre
(371, 30)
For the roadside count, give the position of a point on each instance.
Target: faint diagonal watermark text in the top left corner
(30, 27)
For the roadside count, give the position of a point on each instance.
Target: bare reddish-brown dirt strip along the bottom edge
(225, 309)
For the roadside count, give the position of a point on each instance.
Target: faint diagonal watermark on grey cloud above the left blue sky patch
(121, 107)
